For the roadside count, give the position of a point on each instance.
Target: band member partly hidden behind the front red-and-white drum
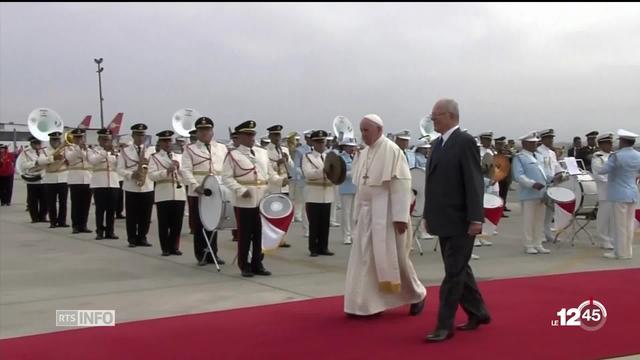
(281, 162)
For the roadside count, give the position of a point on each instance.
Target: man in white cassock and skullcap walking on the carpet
(380, 275)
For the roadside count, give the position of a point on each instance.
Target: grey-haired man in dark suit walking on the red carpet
(454, 212)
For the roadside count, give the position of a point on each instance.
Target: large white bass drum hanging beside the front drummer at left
(216, 209)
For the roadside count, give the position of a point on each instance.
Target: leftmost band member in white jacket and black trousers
(33, 177)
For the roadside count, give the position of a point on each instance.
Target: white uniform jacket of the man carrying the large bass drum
(198, 162)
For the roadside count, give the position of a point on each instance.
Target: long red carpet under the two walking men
(522, 311)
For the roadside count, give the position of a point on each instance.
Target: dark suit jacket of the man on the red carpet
(454, 189)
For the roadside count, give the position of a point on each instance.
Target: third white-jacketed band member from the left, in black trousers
(79, 179)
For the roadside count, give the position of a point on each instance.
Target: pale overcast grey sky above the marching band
(512, 67)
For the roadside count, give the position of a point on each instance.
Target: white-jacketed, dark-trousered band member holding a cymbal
(319, 195)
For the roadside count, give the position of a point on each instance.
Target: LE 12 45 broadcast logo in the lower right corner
(590, 315)
